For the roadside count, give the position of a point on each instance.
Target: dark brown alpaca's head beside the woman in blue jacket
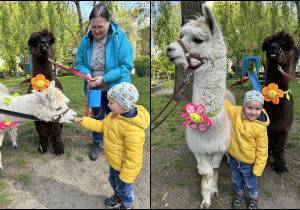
(40, 44)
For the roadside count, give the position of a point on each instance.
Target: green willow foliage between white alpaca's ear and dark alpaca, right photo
(245, 24)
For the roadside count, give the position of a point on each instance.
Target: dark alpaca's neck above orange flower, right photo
(273, 75)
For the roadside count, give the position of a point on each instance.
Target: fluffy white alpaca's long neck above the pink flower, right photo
(210, 85)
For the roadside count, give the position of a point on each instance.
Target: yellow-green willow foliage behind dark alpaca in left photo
(18, 19)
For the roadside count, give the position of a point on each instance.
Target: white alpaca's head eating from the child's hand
(51, 103)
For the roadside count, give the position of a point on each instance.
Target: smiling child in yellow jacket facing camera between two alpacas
(248, 148)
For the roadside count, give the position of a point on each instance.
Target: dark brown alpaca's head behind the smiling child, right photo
(280, 49)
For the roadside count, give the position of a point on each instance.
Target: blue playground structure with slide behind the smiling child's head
(246, 74)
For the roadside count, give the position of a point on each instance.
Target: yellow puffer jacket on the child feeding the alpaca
(123, 140)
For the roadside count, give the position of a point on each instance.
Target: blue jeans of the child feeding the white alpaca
(122, 189)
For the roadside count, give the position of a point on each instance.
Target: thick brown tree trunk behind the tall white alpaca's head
(188, 11)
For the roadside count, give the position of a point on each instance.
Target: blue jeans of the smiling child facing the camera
(241, 174)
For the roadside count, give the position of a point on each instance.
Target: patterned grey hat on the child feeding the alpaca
(125, 94)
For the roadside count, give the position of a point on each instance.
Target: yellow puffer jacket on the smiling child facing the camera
(249, 139)
